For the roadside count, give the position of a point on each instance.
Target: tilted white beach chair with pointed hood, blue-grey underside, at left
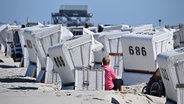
(38, 40)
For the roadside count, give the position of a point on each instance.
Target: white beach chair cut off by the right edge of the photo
(171, 66)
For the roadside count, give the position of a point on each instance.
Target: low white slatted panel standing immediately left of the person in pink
(89, 79)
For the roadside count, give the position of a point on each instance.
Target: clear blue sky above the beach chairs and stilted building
(132, 12)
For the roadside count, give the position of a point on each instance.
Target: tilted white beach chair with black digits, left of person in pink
(71, 56)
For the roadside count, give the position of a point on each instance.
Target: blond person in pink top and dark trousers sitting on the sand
(111, 82)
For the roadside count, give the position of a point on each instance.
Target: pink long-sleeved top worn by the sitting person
(109, 75)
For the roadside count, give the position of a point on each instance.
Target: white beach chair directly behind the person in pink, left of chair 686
(112, 47)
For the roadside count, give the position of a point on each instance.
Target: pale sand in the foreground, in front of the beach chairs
(15, 88)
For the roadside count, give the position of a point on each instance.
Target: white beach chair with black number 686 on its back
(140, 50)
